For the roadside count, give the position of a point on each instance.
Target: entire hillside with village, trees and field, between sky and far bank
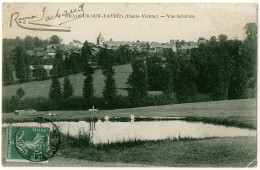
(178, 71)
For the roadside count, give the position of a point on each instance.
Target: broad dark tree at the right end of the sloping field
(137, 82)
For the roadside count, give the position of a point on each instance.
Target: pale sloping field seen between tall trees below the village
(41, 88)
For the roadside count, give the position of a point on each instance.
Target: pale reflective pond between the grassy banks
(108, 132)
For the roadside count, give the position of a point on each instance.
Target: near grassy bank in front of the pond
(212, 152)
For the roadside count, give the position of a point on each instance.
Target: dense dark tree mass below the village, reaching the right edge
(218, 69)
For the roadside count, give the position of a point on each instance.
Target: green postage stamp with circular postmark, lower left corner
(26, 144)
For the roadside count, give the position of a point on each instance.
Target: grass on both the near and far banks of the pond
(208, 152)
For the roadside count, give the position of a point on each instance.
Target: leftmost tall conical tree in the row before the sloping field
(55, 94)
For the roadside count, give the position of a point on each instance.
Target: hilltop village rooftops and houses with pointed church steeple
(48, 53)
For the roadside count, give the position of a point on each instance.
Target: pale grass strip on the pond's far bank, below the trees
(239, 113)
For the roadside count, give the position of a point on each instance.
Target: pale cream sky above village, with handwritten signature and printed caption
(209, 20)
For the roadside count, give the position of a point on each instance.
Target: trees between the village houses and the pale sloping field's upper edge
(64, 62)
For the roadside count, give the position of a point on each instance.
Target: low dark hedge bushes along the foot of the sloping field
(78, 103)
